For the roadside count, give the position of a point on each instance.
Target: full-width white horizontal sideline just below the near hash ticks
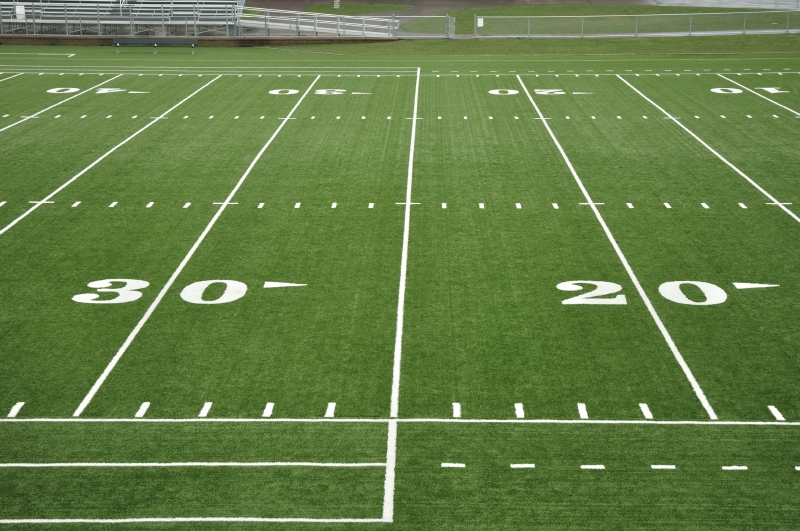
(401, 421)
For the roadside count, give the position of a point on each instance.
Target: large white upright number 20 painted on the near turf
(672, 291)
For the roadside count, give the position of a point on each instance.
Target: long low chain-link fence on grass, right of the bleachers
(640, 25)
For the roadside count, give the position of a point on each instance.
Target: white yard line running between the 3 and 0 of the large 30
(110, 367)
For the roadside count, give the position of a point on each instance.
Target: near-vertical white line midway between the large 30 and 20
(391, 446)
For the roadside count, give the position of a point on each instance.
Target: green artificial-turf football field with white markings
(331, 294)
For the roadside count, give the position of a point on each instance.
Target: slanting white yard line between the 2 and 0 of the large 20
(650, 308)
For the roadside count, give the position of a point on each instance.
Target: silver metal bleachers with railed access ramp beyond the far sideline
(203, 18)
